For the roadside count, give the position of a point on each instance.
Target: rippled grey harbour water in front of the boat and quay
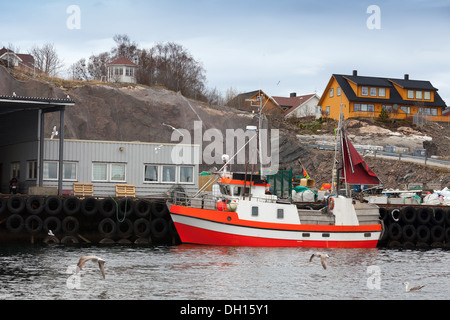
(189, 272)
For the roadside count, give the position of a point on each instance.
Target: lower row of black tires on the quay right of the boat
(419, 234)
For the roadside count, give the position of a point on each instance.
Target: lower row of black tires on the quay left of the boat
(157, 228)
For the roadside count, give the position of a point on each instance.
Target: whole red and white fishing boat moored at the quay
(245, 215)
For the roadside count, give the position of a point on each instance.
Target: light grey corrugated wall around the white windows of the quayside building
(134, 154)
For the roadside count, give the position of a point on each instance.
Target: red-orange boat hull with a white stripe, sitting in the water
(211, 227)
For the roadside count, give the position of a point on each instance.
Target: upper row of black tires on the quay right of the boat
(432, 216)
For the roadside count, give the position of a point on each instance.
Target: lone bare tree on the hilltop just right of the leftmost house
(46, 59)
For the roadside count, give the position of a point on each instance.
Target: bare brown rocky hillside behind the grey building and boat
(137, 113)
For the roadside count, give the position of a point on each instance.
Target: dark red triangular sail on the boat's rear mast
(356, 170)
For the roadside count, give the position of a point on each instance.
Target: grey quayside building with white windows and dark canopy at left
(152, 168)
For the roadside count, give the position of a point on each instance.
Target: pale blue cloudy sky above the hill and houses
(279, 46)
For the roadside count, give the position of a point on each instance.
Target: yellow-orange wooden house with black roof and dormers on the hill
(361, 96)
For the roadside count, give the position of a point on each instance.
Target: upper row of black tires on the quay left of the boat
(89, 206)
